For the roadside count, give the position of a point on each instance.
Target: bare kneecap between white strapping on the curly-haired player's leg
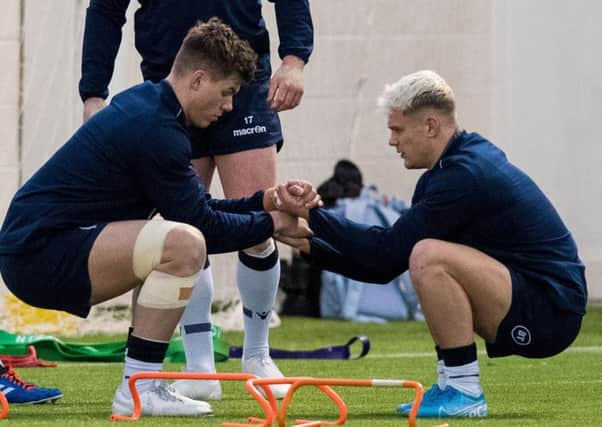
(187, 251)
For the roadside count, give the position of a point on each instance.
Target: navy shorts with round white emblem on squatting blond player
(534, 327)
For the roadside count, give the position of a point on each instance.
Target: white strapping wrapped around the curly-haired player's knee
(160, 290)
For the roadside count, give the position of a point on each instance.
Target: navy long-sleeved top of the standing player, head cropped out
(160, 27)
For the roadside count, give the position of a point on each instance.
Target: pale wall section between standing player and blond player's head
(360, 46)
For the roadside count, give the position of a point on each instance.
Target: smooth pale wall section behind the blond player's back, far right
(548, 107)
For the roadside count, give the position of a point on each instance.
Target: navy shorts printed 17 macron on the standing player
(250, 125)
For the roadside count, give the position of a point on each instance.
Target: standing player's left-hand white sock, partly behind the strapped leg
(195, 326)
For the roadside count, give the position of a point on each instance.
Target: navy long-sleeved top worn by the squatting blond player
(473, 196)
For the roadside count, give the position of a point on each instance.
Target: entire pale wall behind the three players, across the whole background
(525, 73)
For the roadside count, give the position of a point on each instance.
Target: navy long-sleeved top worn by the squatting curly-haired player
(129, 160)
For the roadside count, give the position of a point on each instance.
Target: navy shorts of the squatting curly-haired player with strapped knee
(56, 276)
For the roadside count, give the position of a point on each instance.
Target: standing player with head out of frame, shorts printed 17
(242, 144)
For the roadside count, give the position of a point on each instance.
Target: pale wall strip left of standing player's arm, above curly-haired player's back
(52, 31)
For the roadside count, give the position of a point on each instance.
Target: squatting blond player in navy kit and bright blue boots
(487, 251)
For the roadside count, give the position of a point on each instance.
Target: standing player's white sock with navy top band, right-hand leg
(258, 278)
